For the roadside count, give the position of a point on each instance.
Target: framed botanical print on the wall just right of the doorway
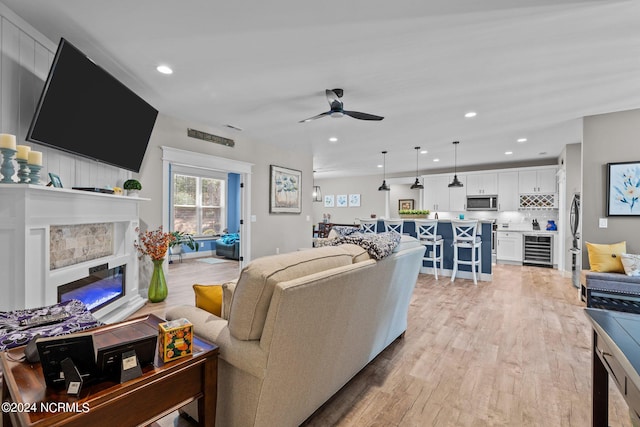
(285, 190)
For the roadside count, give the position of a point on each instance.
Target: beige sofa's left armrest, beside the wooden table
(244, 355)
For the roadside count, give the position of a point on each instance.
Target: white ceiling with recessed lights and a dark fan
(529, 69)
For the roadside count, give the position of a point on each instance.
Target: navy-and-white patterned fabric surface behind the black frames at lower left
(14, 335)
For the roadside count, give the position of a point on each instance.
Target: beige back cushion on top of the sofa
(253, 292)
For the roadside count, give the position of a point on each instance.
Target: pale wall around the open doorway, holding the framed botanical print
(270, 232)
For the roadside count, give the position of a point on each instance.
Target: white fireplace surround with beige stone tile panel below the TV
(31, 275)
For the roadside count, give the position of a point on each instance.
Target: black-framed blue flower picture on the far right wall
(623, 189)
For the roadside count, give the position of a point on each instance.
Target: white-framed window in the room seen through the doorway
(199, 201)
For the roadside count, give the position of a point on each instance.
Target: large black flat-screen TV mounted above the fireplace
(84, 110)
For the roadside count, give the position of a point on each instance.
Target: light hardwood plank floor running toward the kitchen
(512, 352)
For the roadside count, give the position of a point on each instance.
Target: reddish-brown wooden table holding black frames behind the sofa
(162, 388)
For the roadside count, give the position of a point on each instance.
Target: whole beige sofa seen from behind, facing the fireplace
(298, 326)
